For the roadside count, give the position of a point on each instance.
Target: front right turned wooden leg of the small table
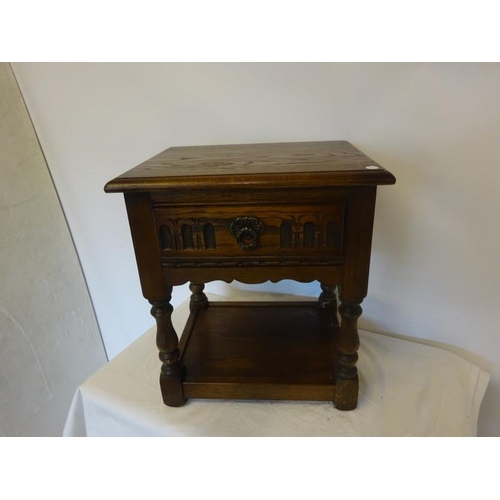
(347, 385)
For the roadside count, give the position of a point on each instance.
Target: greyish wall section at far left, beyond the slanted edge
(49, 338)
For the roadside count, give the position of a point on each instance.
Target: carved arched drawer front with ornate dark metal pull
(272, 233)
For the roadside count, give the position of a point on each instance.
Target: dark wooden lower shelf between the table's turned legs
(259, 350)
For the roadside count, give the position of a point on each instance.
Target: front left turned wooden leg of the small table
(167, 342)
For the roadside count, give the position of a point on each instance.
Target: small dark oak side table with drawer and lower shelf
(253, 213)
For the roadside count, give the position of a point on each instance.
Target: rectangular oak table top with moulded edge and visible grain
(273, 165)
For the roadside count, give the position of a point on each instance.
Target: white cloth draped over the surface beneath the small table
(406, 389)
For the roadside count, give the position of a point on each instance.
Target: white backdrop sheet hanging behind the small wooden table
(435, 271)
